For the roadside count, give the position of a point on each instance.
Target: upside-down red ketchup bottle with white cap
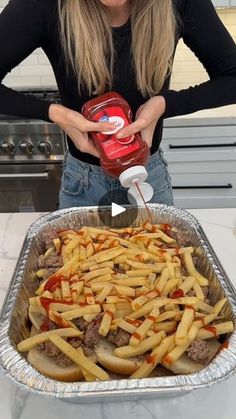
(123, 158)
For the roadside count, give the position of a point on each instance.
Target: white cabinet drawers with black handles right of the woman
(201, 156)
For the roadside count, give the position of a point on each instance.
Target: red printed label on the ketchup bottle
(115, 148)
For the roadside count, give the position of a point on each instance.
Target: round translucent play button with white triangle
(115, 210)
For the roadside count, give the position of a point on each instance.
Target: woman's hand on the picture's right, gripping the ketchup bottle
(147, 117)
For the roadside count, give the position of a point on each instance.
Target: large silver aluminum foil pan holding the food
(14, 324)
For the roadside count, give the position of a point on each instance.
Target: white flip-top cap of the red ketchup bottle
(137, 174)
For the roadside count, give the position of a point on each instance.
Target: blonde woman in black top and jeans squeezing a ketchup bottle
(126, 46)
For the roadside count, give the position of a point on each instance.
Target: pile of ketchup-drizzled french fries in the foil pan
(147, 297)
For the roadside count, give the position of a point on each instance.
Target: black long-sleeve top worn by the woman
(28, 24)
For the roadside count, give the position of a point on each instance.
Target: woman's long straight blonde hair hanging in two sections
(88, 45)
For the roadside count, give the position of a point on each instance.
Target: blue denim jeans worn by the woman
(84, 184)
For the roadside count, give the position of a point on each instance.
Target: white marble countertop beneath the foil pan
(217, 402)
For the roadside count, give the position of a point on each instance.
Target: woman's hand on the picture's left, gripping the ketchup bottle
(77, 127)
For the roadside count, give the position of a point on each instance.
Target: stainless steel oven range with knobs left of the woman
(31, 155)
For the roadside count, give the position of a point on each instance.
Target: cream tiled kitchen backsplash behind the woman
(36, 70)
